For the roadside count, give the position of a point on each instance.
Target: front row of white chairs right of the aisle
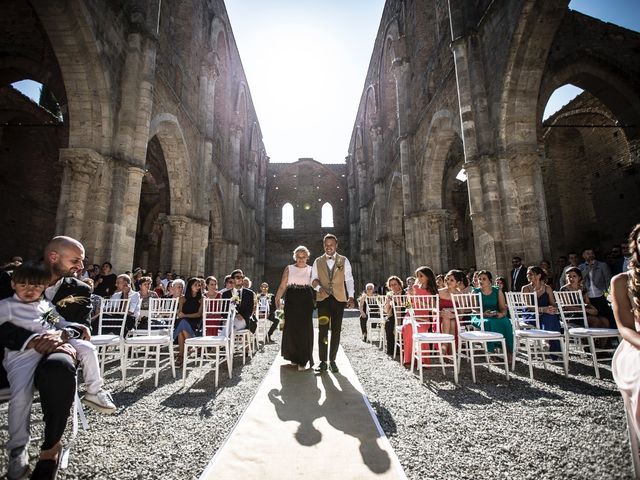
(531, 342)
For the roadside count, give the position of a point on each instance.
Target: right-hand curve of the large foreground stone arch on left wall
(87, 82)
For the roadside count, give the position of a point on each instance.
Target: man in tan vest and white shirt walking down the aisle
(333, 280)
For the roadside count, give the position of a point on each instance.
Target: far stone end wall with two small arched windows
(308, 186)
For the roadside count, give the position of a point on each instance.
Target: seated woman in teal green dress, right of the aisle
(495, 317)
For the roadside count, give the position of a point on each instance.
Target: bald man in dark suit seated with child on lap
(55, 376)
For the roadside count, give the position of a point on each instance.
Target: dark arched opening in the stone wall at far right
(591, 182)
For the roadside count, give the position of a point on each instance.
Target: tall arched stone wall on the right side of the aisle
(458, 84)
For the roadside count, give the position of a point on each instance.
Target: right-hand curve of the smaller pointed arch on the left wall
(166, 128)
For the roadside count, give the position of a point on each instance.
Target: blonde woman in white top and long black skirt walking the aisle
(297, 335)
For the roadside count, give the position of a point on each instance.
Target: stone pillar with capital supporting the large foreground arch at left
(80, 166)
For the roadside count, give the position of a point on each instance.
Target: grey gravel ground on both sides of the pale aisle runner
(552, 427)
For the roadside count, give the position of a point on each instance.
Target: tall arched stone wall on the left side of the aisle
(159, 160)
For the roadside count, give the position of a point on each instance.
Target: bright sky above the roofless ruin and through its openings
(306, 62)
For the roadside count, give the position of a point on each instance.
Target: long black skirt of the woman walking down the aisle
(297, 335)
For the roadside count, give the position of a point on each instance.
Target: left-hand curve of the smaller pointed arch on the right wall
(443, 131)
